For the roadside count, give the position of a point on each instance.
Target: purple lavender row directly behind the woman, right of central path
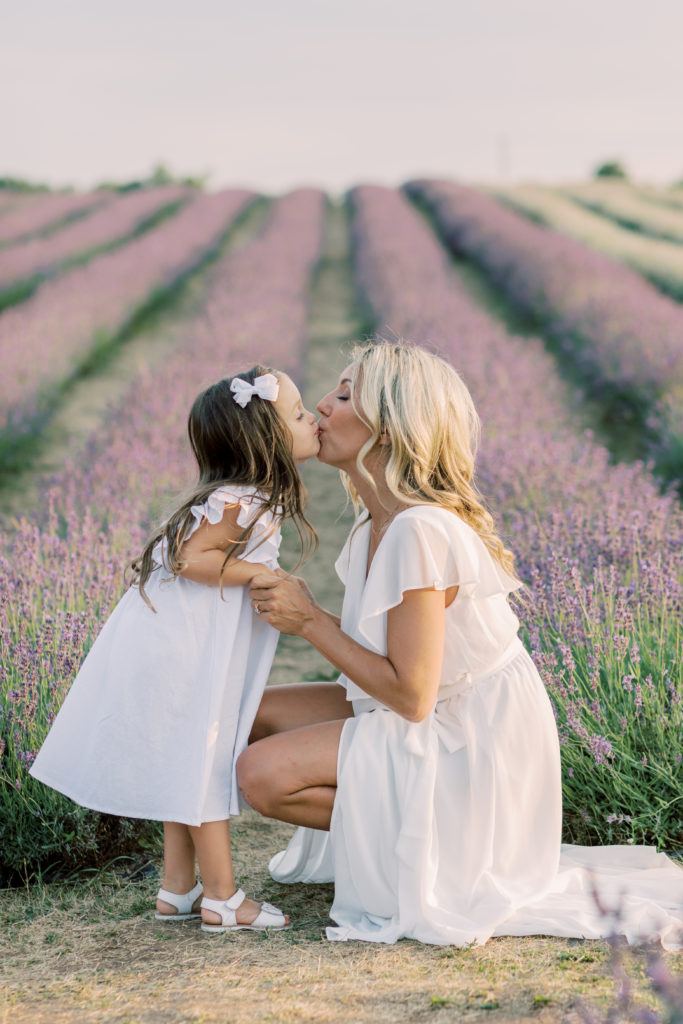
(606, 572)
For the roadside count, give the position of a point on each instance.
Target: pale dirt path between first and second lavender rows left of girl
(84, 407)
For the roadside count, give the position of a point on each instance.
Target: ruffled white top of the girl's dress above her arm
(264, 543)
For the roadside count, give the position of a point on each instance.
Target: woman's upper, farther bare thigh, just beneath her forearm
(293, 706)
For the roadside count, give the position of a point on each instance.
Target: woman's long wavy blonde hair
(423, 407)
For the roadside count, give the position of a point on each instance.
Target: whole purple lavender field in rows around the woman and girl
(600, 543)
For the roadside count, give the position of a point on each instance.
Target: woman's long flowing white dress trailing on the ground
(448, 831)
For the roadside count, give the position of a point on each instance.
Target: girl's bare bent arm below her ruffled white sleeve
(204, 554)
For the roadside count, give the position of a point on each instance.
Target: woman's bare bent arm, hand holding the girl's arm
(407, 680)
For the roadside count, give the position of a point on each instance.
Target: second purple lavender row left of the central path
(45, 340)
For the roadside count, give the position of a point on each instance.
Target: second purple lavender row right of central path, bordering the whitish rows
(621, 333)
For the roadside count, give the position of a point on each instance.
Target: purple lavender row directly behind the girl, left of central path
(61, 577)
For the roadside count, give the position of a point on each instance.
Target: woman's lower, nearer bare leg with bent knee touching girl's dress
(292, 776)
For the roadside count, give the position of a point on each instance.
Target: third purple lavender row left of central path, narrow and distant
(117, 220)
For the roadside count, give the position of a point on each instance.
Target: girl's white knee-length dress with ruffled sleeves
(164, 703)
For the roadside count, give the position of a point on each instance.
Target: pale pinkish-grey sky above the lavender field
(278, 94)
